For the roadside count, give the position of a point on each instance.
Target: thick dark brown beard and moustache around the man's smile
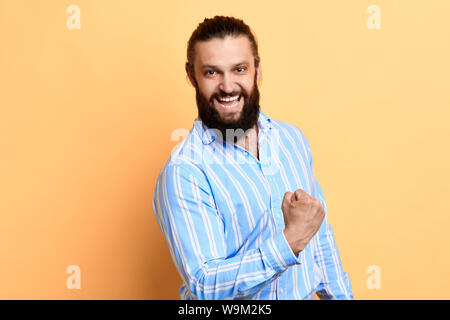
(212, 119)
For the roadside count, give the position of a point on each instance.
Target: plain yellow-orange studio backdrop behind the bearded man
(86, 118)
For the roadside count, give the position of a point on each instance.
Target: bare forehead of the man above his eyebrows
(223, 52)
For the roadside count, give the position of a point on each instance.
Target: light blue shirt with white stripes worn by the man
(219, 208)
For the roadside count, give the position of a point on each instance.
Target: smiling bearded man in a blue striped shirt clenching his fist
(238, 203)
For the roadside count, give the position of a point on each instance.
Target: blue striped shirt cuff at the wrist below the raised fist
(279, 254)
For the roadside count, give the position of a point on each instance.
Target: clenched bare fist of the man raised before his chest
(303, 216)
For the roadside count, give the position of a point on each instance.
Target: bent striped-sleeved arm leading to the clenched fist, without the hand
(186, 213)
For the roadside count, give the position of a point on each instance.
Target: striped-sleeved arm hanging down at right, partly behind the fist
(335, 283)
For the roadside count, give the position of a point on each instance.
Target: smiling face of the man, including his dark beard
(225, 79)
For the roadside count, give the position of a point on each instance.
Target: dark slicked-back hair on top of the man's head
(219, 27)
